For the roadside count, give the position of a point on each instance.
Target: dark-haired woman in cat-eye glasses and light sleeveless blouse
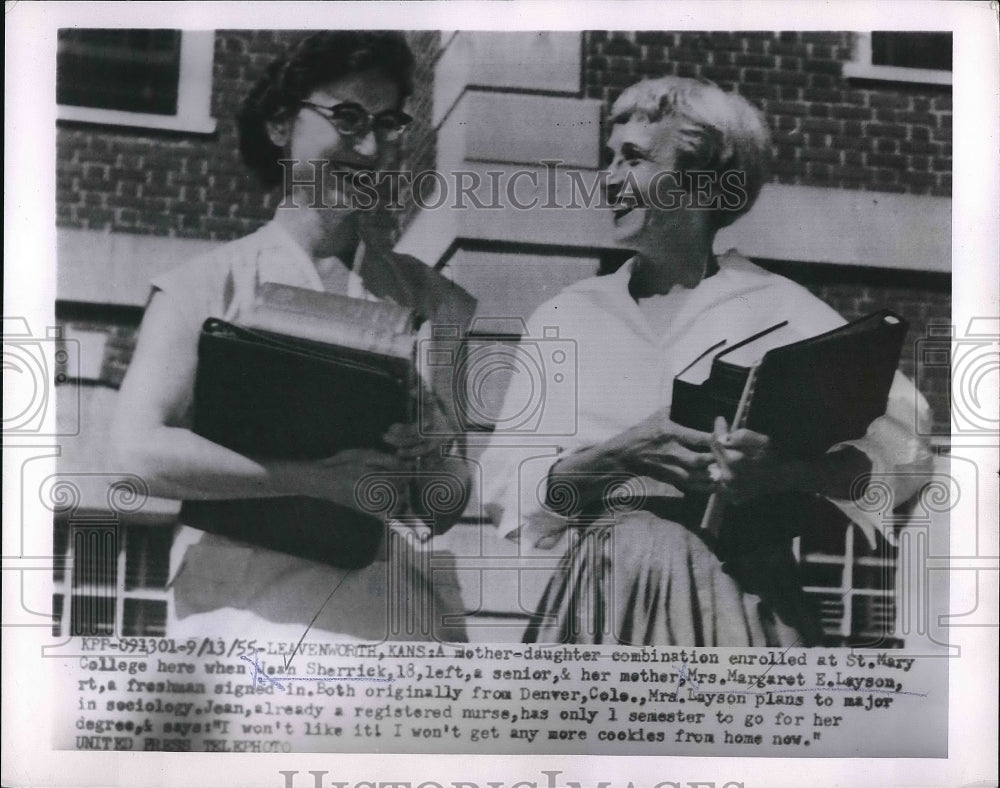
(329, 109)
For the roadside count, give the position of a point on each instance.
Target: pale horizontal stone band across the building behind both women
(794, 223)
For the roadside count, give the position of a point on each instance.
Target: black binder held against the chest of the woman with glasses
(278, 397)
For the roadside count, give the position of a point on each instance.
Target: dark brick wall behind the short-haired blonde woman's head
(827, 130)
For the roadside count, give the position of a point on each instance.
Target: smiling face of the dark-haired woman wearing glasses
(309, 136)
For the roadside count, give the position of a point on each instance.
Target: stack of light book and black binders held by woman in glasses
(304, 375)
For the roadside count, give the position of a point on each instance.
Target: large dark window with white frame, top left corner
(157, 79)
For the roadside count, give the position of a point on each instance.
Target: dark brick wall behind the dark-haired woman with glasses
(191, 185)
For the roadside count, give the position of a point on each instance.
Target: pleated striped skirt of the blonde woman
(643, 580)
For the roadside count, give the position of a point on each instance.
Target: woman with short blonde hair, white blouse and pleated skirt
(685, 160)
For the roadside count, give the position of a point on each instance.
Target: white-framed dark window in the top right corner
(902, 57)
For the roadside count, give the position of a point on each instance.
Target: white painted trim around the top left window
(194, 94)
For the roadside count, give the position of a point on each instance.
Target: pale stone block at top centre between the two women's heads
(515, 60)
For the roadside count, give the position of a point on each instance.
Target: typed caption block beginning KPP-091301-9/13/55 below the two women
(208, 695)
